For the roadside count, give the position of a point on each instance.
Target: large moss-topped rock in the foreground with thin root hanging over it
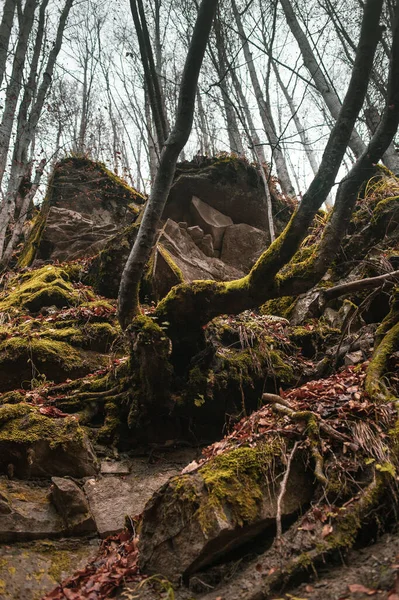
(197, 518)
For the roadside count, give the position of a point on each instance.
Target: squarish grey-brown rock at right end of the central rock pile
(243, 245)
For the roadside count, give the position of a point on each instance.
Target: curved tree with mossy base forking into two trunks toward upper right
(190, 306)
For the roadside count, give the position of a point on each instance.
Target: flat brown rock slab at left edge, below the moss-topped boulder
(31, 515)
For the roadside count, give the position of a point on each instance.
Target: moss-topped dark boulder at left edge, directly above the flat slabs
(34, 445)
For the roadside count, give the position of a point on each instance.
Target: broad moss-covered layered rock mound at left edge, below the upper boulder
(59, 329)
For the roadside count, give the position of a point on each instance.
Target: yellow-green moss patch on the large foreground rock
(235, 482)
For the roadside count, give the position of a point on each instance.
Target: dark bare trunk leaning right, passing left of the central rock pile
(128, 302)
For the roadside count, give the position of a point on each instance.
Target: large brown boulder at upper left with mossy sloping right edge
(85, 205)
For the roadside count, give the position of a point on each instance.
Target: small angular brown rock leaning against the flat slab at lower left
(72, 505)
